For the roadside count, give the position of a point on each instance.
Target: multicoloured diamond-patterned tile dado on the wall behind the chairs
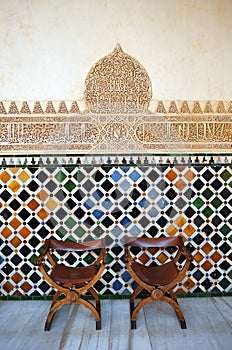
(87, 201)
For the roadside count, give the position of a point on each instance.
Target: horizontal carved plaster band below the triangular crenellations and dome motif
(117, 133)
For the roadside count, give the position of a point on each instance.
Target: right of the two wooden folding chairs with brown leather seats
(158, 279)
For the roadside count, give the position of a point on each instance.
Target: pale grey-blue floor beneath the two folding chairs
(209, 326)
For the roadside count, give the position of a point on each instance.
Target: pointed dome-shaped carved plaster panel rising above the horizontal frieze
(117, 84)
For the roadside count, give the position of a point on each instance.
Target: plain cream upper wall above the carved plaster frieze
(47, 47)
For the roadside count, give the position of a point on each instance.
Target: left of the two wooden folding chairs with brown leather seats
(72, 282)
